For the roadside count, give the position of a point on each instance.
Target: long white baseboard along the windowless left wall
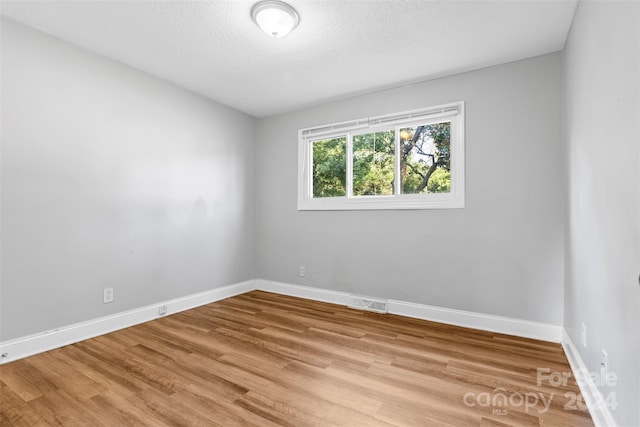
(49, 340)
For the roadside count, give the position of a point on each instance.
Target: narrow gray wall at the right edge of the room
(602, 75)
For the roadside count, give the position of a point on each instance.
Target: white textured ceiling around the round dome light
(340, 48)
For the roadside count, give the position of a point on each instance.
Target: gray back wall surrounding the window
(502, 254)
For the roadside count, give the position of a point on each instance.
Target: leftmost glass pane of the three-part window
(330, 167)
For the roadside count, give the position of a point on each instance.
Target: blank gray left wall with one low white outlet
(112, 178)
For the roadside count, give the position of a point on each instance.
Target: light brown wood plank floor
(261, 359)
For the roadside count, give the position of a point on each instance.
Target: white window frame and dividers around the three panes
(454, 199)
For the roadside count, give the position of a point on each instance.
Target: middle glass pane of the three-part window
(373, 163)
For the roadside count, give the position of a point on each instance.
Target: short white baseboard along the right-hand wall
(598, 409)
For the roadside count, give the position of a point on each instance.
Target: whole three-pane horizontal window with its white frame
(410, 160)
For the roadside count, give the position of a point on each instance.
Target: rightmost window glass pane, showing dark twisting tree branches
(425, 161)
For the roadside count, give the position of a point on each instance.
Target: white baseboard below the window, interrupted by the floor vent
(485, 322)
